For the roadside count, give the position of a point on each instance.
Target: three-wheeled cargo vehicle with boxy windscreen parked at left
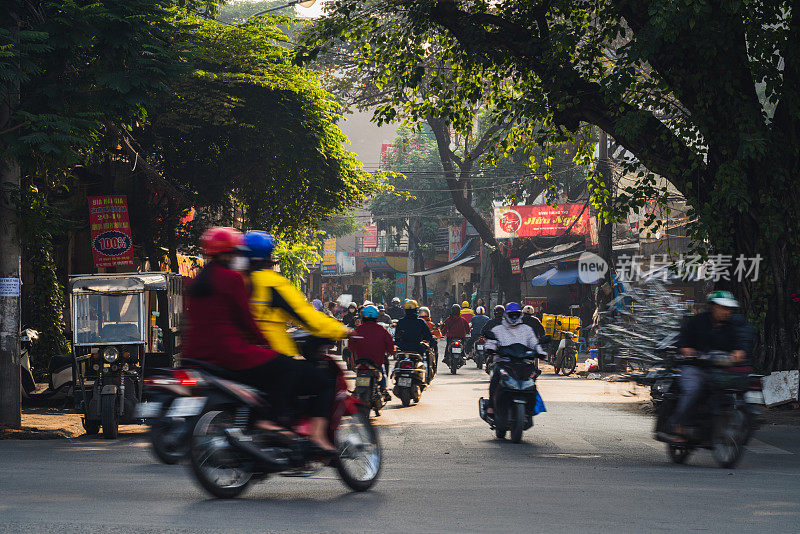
(123, 324)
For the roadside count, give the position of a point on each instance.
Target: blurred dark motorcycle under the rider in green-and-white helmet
(726, 416)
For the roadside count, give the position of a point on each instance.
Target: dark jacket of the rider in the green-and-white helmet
(698, 333)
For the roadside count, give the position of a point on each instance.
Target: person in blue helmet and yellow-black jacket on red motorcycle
(275, 302)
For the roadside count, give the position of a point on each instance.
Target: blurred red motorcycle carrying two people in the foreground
(227, 452)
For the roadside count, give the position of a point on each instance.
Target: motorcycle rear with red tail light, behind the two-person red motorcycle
(169, 397)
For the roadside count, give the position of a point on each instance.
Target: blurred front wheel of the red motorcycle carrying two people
(359, 461)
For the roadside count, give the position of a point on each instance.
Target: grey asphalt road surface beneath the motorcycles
(589, 464)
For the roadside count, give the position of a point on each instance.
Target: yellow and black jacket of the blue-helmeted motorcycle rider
(275, 302)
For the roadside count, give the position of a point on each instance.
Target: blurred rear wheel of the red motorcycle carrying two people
(212, 458)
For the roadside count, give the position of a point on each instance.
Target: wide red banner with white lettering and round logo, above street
(540, 220)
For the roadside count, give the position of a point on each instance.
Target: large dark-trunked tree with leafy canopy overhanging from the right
(675, 84)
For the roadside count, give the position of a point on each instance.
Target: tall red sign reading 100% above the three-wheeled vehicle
(112, 245)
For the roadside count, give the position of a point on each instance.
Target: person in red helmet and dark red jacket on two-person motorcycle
(220, 329)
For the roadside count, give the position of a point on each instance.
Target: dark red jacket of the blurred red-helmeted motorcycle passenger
(220, 328)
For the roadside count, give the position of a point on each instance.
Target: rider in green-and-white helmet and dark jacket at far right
(717, 329)
